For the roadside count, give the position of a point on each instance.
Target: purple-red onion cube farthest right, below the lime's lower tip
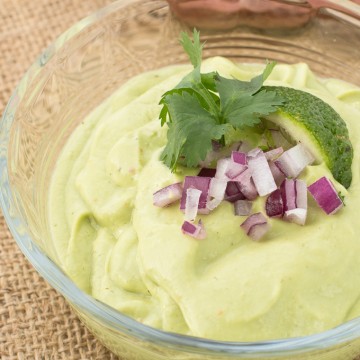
(325, 194)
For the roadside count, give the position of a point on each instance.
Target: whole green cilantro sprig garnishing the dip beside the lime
(206, 107)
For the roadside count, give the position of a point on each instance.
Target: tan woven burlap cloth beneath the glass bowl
(35, 321)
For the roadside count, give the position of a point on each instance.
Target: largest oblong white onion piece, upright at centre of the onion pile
(260, 172)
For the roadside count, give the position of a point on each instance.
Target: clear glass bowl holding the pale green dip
(88, 63)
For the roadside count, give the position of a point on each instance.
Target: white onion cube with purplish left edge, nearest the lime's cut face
(293, 161)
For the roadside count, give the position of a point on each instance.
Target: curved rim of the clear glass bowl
(112, 318)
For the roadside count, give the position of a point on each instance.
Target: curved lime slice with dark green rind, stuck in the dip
(312, 122)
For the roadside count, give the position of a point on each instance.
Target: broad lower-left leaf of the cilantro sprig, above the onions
(191, 131)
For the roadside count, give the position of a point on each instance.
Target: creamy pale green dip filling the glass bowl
(118, 247)
